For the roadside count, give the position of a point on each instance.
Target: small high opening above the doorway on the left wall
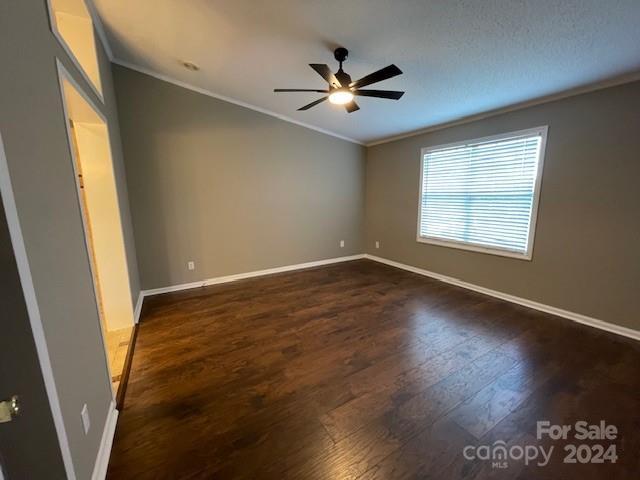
(72, 25)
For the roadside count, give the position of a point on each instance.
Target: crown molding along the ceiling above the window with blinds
(612, 82)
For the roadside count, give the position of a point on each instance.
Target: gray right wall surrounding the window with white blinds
(586, 257)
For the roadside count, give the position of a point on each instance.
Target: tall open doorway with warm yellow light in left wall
(88, 134)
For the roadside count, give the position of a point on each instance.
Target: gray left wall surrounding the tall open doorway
(33, 128)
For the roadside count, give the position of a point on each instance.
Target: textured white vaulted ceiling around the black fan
(459, 58)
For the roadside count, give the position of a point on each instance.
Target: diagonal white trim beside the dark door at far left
(24, 271)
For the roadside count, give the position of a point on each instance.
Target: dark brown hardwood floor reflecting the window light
(362, 371)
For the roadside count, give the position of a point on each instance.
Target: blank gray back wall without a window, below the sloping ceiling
(232, 189)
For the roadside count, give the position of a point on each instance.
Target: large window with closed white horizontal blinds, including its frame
(482, 194)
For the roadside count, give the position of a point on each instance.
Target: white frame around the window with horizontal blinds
(444, 242)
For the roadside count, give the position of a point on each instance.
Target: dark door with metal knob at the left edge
(28, 443)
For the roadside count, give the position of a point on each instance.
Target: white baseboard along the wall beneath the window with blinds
(576, 317)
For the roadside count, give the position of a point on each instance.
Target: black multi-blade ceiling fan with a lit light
(342, 90)
